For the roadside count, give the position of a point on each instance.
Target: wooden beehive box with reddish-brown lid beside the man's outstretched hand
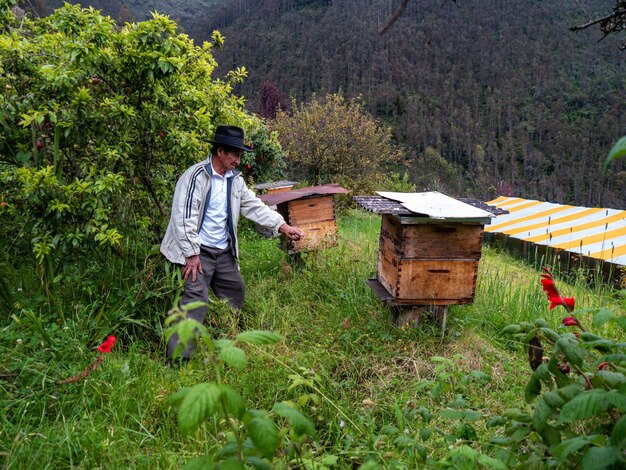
(312, 210)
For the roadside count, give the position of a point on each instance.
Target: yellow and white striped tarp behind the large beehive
(593, 232)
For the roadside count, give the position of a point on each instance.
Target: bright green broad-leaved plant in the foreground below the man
(253, 436)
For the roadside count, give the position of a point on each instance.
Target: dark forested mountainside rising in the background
(502, 90)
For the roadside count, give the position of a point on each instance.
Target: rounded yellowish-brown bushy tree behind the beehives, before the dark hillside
(330, 140)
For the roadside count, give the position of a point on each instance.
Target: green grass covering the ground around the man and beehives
(365, 382)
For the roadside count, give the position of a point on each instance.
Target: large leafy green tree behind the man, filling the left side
(98, 122)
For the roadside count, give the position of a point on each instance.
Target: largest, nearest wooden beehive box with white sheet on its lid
(428, 252)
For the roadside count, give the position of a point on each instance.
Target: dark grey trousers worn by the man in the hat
(220, 273)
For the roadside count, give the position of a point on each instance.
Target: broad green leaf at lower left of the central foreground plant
(200, 402)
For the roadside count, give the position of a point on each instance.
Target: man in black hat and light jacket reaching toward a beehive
(202, 232)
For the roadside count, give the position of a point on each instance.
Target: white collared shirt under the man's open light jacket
(214, 230)
